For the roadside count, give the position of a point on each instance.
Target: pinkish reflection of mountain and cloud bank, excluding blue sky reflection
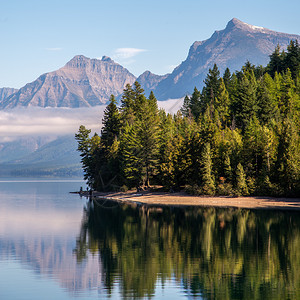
(44, 241)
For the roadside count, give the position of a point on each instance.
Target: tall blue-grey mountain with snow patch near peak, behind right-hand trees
(230, 47)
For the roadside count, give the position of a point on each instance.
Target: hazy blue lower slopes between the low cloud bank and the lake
(51, 156)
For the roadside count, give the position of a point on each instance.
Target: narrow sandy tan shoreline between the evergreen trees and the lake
(183, 199)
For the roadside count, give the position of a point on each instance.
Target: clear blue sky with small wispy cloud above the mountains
(38, 36)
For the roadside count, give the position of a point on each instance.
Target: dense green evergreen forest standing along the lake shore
(238, 136)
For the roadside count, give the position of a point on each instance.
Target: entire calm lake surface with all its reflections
(55, 245)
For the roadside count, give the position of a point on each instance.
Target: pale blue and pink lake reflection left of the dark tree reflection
(39, 223)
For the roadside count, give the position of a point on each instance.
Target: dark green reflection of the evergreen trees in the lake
(209, 252)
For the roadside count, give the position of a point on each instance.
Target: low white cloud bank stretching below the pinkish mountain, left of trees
(35, 121)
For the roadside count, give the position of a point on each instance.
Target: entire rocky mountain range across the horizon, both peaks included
(89, 82)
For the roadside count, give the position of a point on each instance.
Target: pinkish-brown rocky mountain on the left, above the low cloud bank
(81, 82)
